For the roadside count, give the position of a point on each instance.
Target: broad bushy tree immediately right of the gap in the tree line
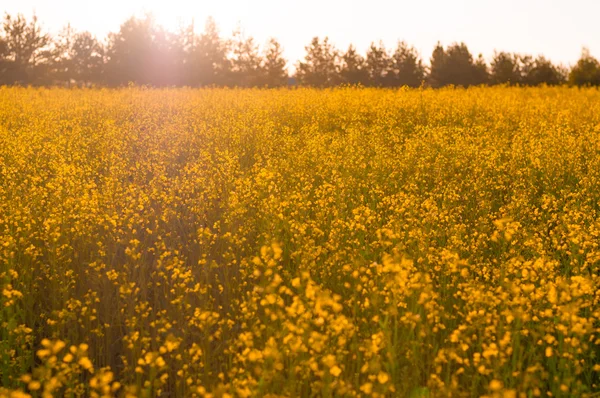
(320, 65)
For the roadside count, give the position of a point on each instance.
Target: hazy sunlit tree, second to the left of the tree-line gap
(246, 64)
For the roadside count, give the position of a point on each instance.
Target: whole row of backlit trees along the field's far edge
(142, 52)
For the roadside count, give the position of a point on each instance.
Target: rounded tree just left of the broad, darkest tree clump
(407, 68)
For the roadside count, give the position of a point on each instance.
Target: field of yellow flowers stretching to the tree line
(346, 242)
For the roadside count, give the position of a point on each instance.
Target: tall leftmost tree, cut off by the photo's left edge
(25, 51)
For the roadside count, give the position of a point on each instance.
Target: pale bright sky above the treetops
(555, 29)
